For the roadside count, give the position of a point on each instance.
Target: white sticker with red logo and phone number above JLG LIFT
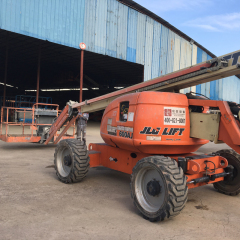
(174, 116)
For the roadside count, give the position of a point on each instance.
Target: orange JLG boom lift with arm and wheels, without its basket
(152, 136)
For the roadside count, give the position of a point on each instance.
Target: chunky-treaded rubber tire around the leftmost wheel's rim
(79, 160)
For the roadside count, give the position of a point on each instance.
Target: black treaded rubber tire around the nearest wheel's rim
(174, 182)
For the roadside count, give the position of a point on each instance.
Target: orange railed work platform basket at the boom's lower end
(24, 125)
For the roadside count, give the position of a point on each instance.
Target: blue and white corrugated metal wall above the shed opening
(111, 28)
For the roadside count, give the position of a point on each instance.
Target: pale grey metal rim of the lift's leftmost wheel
(63, 169)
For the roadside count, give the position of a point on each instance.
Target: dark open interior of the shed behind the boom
(59, 70)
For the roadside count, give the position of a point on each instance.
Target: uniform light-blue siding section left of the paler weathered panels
(36, 19)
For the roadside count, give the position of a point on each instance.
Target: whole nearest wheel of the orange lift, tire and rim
(158, 188)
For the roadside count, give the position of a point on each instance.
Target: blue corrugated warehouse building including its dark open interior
(125, 44)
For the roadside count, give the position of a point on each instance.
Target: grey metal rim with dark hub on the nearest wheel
(150, 200)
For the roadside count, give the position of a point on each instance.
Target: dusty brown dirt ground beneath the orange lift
(35, 205)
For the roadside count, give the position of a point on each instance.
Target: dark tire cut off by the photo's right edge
(230, 187)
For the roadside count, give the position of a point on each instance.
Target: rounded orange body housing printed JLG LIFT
(158, 123)
